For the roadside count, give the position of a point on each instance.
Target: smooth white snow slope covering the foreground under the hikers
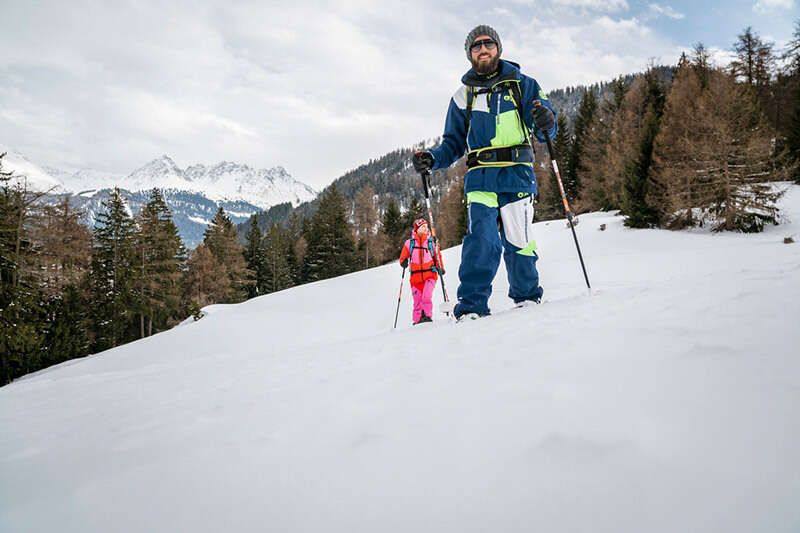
(665, 400)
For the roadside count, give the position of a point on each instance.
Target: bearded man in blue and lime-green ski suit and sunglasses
(491, 117)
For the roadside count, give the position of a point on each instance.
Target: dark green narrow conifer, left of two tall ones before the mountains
(112, 275)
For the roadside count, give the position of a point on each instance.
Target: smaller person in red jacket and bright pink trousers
(426, 263)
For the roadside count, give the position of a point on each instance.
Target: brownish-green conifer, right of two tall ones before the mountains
(160, 259)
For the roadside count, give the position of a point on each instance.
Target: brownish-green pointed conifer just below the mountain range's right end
(222, 241)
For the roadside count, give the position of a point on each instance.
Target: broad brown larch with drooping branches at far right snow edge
(714, 154)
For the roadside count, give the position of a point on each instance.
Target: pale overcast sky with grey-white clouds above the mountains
(317, 89)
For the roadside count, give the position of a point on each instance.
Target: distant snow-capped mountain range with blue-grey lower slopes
(193, 194)
